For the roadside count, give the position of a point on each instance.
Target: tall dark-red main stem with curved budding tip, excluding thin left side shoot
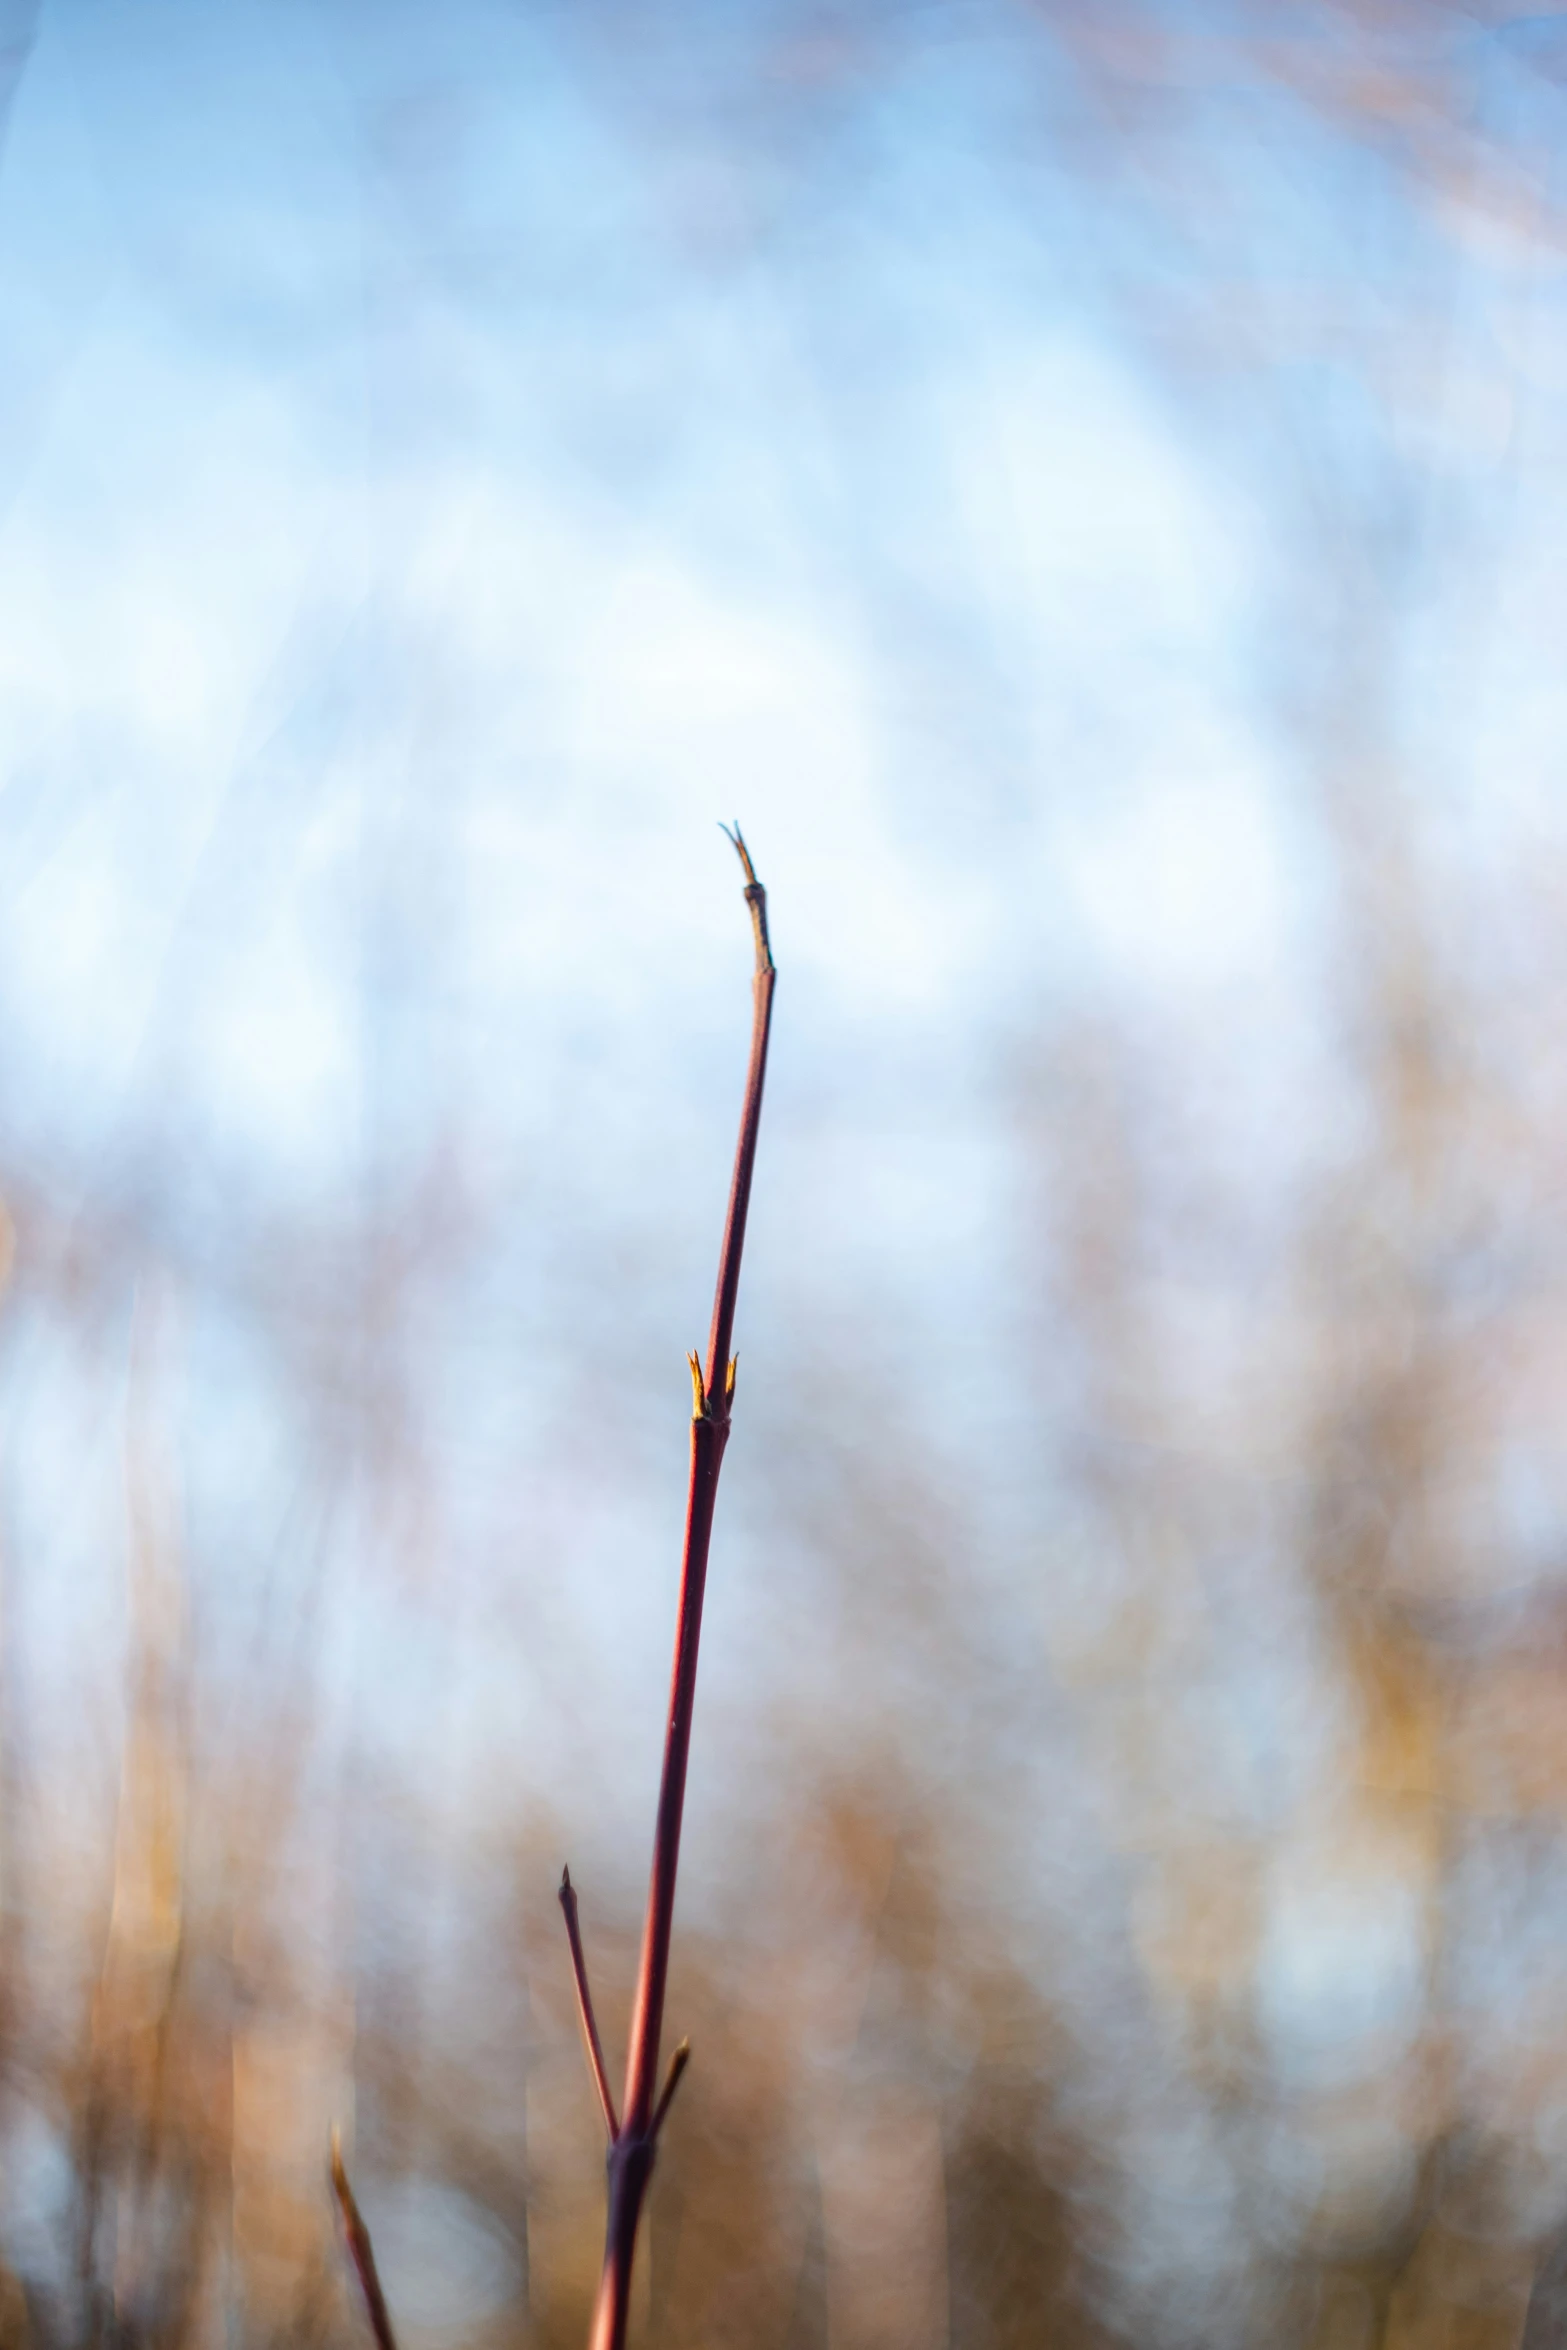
(631, 2154)
